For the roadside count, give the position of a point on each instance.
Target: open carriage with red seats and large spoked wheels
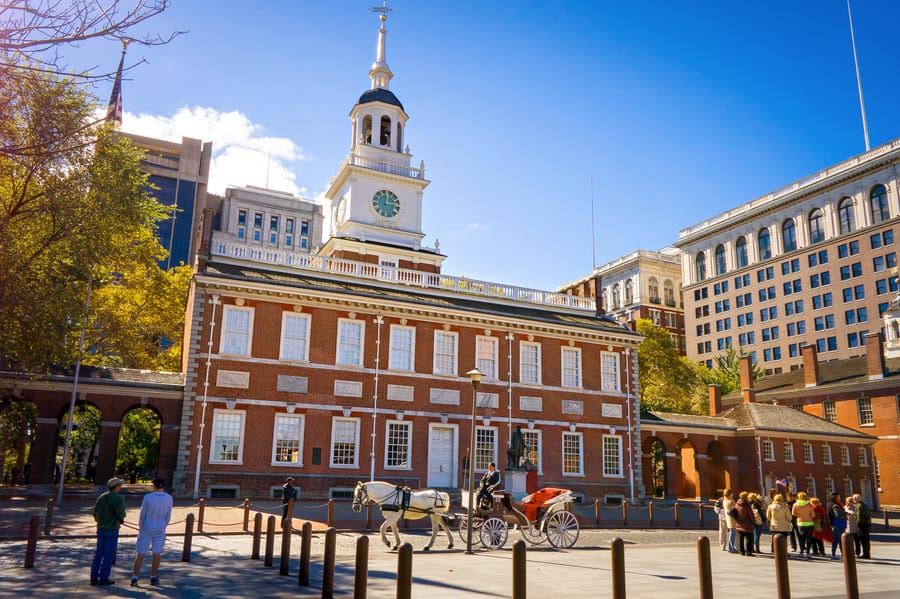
(545, 514)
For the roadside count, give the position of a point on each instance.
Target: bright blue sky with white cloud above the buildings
(677, 110)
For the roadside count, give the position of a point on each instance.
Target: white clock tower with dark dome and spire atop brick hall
(376, 196)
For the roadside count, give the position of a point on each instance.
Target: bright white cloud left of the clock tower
(242, 155)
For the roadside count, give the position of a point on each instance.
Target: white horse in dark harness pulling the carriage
(397, 502)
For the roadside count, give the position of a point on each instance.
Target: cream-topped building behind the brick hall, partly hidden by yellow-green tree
(642, 284)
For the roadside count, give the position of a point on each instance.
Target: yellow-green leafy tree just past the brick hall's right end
(668, 380)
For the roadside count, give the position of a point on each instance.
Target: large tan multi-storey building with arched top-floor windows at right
(810, 263)
